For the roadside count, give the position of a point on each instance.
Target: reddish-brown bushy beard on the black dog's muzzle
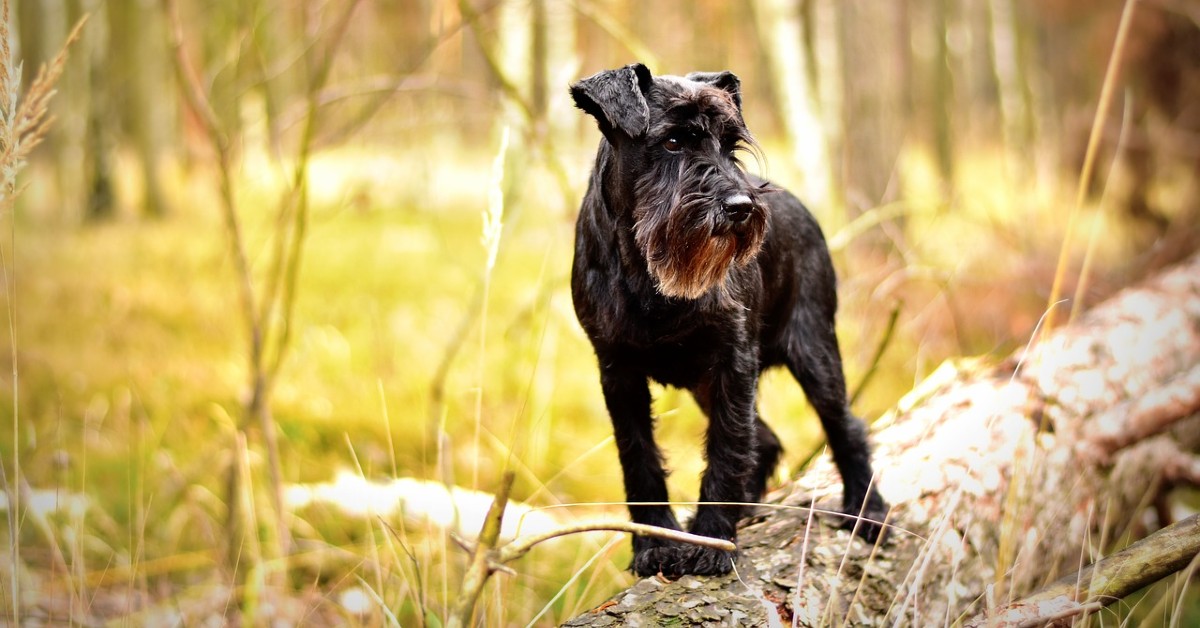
(691, 249)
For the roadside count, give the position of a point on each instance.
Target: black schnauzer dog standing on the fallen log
(698, 276)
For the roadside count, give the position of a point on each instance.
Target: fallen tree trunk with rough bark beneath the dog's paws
(1003, 480)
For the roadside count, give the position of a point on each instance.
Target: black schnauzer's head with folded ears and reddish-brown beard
(676, 171)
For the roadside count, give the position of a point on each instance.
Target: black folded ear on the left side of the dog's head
(617, 99)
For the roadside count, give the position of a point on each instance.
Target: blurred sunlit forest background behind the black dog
(262, 306)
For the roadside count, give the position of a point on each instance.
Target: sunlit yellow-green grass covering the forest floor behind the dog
(133, 367)
